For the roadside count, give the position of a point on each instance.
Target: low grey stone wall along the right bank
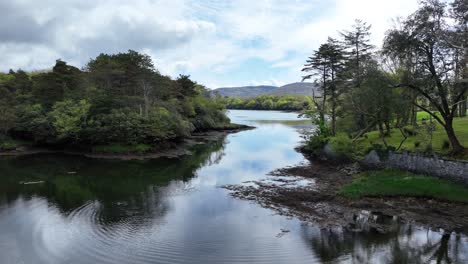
(434, 166)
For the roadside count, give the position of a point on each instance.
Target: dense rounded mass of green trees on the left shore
(119, 98)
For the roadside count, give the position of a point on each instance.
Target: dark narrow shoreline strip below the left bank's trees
(168, 149)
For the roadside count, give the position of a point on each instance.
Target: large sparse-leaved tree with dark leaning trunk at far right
(429, 62)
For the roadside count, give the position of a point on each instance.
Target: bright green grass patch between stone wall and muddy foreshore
(399, 183)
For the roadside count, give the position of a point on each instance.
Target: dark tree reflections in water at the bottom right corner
(388, 242)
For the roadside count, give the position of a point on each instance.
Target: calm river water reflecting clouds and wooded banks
(174, 211)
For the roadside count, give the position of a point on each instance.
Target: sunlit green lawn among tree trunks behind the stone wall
(419, 142)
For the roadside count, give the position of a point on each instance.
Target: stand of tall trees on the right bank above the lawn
(422, 66)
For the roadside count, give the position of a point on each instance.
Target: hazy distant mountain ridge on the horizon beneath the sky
(299, 88)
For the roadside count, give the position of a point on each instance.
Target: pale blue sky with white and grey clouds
(219, 43)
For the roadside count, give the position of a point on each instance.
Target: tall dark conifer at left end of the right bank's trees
(327, 62)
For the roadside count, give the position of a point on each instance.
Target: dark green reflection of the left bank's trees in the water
(71, 181)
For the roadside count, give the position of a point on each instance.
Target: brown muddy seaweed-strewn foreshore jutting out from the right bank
(320, 201)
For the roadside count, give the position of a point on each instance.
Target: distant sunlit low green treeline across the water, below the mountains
(268, 102)
